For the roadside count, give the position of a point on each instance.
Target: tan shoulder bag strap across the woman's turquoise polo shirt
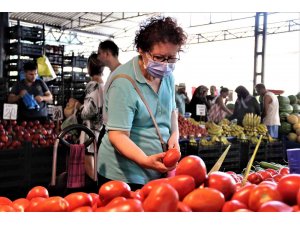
(145, 102)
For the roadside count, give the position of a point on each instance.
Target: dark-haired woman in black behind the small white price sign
(199, 98)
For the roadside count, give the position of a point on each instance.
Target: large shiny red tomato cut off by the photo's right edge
(288, 186)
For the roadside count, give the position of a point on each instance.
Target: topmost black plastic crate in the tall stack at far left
(33, 34)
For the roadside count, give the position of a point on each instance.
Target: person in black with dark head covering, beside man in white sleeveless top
(245, 103)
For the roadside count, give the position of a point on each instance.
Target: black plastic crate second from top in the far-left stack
(25, 49)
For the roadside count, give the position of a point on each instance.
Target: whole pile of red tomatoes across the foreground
(190, 190)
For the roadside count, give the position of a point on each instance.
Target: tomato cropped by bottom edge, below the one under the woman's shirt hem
(129, 205)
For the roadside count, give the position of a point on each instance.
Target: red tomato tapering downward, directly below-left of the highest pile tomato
(183, 184)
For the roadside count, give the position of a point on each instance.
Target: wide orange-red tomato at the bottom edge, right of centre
(205, 200)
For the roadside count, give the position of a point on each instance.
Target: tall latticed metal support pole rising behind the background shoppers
(259, 48)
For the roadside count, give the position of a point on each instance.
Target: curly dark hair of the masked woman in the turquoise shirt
(159, 29)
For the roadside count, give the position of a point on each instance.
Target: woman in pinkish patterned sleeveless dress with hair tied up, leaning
(218, 110)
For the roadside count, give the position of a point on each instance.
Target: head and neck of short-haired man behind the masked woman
(108, 53)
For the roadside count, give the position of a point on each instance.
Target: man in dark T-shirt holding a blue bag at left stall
(32, 86)
